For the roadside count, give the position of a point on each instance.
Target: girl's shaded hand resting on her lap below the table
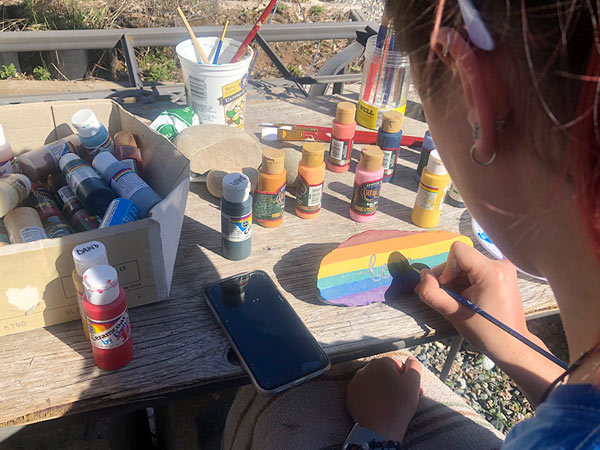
(383, 396)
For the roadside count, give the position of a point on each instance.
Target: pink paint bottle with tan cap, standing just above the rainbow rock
(367, 184)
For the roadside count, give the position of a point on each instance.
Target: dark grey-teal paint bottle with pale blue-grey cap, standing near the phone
(236, 217)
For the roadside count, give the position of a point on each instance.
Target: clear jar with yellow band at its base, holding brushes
(385, 82)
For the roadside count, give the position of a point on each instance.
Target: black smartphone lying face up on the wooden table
(271, 341)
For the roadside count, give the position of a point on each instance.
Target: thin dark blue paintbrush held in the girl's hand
(400, 267)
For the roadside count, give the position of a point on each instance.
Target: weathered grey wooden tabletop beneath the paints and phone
(178, 347)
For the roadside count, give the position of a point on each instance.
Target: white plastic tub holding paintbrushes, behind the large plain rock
(216, 92)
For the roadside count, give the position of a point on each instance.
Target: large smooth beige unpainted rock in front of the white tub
(216, 146)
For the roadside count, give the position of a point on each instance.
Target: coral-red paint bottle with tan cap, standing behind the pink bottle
(342, 137)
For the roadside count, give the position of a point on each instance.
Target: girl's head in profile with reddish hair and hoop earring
(525, 104)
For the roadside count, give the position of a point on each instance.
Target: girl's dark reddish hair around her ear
(553, 47)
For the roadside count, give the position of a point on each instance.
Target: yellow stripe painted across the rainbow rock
(423, 251)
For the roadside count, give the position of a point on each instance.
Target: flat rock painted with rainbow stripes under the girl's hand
(372, 267)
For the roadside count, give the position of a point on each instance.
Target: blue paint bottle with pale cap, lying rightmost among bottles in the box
(126, 183)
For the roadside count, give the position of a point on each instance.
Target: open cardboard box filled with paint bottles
(36, 288)
